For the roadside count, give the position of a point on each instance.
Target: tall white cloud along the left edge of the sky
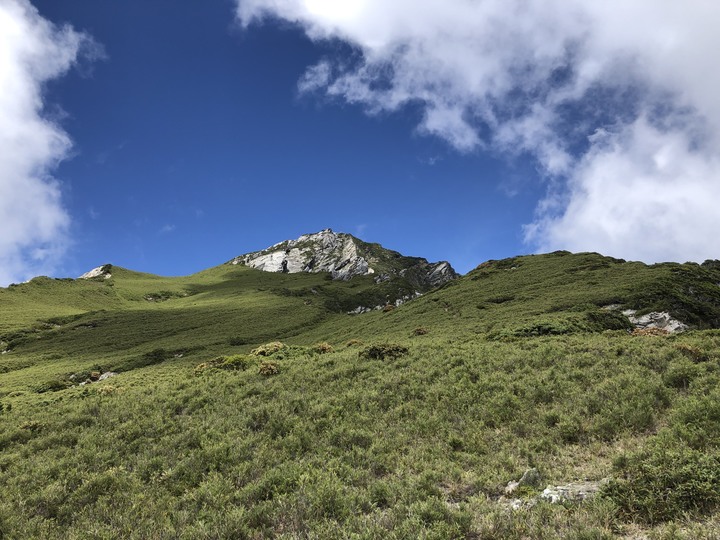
(33, 221)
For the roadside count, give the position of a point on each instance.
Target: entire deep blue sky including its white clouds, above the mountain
(186, 133)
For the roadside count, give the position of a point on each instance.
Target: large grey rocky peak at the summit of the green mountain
(345, 257)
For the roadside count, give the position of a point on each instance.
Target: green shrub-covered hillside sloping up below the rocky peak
(248, 404)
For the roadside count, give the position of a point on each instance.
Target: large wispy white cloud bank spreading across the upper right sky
(616, 101)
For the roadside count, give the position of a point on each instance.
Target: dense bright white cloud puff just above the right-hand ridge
(643, 193)
